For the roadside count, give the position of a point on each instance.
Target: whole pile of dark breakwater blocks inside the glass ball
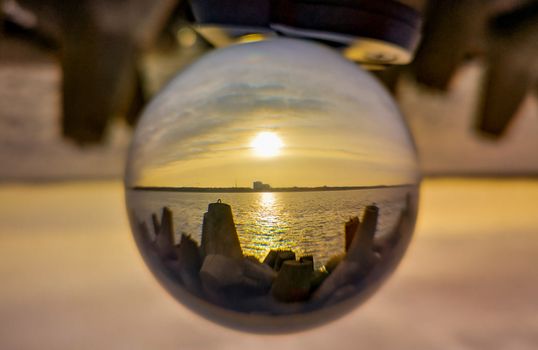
(217, 271)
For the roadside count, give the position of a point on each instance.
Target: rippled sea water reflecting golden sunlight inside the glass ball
(308, 223)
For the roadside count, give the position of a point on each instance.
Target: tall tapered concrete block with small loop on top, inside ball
(219, 235)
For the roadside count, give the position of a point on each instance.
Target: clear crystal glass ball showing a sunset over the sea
(272, 186)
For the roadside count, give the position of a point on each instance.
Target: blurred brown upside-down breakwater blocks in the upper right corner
(504, 32)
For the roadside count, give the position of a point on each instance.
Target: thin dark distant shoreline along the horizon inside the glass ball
(250, 190)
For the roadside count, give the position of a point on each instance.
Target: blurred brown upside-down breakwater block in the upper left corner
(99, 41)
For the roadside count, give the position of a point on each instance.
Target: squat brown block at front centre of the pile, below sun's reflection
(293, 281)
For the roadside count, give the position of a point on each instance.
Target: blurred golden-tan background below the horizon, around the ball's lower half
(71, 277)
